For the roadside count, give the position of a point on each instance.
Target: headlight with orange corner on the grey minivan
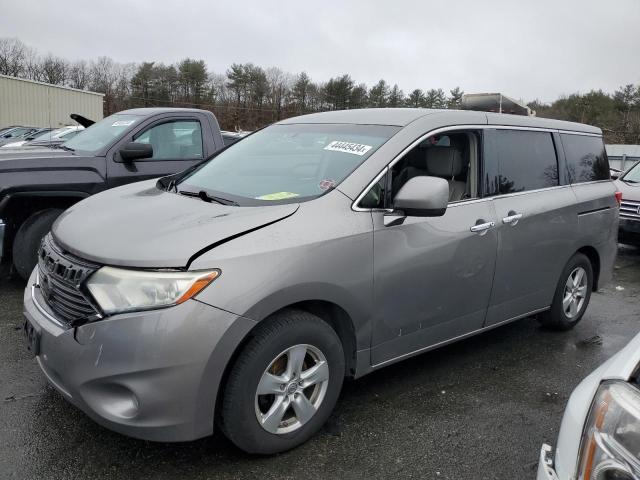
(117, 290)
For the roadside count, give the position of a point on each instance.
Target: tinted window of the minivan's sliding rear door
(517, 161)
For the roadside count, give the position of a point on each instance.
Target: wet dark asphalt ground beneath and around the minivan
(478, 409)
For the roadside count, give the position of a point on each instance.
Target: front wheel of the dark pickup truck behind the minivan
(28, 238)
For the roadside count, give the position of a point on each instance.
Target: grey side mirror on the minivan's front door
(420, 197)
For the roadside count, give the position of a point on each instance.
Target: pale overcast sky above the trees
(536, 49)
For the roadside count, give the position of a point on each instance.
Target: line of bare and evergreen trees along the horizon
(248, 96)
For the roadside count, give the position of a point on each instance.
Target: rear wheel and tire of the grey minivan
(562, 315)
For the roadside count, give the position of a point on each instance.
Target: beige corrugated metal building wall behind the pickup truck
(24, 102)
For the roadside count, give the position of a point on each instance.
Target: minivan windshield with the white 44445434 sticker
(287, 163)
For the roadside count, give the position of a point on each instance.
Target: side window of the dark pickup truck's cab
(174, 140)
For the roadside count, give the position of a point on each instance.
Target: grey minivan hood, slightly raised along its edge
(139, 225)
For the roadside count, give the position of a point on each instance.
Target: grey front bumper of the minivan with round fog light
(151, 375)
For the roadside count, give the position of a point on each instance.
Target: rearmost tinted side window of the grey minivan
(586, 158)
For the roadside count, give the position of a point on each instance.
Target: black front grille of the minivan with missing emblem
(60, 277)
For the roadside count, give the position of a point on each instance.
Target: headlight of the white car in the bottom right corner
(611, 440)
